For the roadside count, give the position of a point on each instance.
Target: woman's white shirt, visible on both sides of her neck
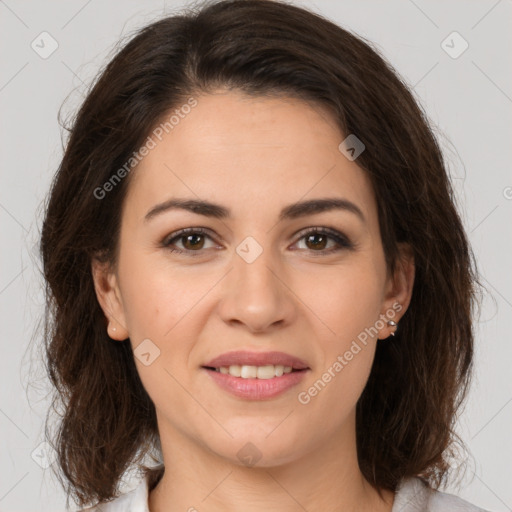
(412, 495)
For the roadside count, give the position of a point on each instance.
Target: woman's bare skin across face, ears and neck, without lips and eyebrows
(254, 156)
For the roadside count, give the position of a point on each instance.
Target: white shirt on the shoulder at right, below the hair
(414, 495)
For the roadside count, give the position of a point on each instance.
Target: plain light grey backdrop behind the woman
(467, 92)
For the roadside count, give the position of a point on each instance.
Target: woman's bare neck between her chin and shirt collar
(326, 478)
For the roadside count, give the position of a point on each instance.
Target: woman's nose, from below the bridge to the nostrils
(256, 294)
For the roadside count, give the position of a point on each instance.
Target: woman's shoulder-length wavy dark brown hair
(419, 380)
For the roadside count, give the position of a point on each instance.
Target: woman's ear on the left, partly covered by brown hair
(109, 297)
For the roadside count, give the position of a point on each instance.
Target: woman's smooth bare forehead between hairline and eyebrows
(253, 154)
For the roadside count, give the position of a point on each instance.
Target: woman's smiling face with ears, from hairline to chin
(256, 278)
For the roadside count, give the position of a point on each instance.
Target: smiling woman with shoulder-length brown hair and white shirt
(256, 268)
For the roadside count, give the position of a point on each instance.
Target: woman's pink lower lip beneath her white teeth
(256, 389)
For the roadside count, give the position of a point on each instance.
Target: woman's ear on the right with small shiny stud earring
(398, 292)
